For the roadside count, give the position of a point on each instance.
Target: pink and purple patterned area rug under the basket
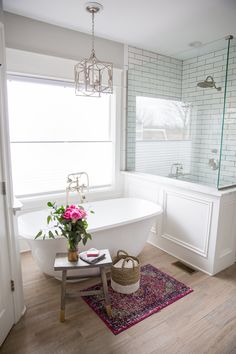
(157, 290)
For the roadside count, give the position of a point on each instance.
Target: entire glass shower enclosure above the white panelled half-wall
(185, 115)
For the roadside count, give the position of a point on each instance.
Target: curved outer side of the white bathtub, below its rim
(130, 238)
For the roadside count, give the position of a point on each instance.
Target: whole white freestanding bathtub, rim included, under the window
(122, 223)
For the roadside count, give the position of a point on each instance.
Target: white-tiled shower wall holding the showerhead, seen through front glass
(203, 88)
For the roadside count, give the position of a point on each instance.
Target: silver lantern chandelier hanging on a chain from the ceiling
(92, 76)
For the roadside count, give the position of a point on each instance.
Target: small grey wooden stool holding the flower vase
(61, 263)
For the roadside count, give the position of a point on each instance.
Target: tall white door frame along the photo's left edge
(11, 224)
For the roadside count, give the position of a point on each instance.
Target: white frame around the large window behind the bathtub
(32, 65)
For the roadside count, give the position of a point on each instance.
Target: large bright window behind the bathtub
(54, 133)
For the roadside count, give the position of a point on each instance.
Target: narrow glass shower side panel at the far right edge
(227, 168)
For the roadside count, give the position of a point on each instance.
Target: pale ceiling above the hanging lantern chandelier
(163, 26)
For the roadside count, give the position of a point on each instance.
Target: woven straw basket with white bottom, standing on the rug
(125, 273)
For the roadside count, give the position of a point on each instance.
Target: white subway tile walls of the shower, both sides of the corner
(155, 75)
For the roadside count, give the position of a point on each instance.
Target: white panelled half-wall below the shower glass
(198, 225)
